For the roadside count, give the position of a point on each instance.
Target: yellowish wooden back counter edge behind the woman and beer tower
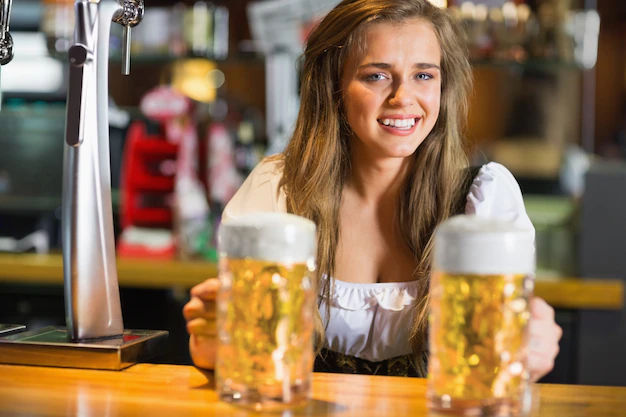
(48, 269)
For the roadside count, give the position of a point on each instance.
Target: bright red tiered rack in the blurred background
(140, 176)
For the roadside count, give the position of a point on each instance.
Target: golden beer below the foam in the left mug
(266, 330)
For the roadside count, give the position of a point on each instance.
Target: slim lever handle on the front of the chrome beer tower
(79, 56)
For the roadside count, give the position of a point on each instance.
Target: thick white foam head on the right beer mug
(471, 244)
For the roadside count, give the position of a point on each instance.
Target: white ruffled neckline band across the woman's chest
(394, 296)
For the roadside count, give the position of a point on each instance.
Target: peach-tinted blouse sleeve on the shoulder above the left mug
(261, 191)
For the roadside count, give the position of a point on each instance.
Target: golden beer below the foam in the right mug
(479, 338)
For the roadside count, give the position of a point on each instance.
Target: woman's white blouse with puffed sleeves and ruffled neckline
(373, 321)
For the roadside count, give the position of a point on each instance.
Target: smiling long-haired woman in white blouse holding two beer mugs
(377, 161)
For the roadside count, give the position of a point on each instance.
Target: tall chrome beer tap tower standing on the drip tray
(92, 299)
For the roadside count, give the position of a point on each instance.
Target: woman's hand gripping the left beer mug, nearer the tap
(200, 313)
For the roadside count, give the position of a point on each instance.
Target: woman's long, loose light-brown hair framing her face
(317, 159)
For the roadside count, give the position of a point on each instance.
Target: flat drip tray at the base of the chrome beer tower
(50, 346)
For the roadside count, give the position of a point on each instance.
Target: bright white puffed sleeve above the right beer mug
(496, 193)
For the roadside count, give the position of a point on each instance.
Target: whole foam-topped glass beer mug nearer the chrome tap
(265, 310)
